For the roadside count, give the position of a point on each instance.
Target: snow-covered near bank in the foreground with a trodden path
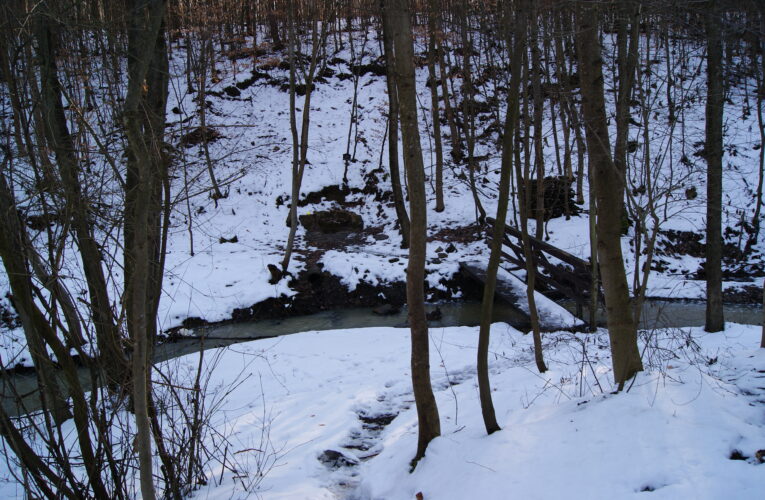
(700, 400)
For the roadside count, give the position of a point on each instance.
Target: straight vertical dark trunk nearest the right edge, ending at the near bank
(714, 152)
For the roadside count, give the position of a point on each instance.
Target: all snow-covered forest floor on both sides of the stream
(329, 414)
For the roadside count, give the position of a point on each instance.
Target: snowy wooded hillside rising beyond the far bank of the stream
(212, 277)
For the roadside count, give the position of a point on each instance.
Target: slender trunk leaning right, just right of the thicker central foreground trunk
(487, 306)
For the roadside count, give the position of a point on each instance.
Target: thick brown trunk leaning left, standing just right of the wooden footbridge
(609, 189)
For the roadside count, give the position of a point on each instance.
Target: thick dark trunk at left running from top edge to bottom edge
(144, 136)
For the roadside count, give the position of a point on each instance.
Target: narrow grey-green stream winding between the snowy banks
(656, 314)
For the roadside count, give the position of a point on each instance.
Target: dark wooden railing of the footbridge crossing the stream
(558, 270)
